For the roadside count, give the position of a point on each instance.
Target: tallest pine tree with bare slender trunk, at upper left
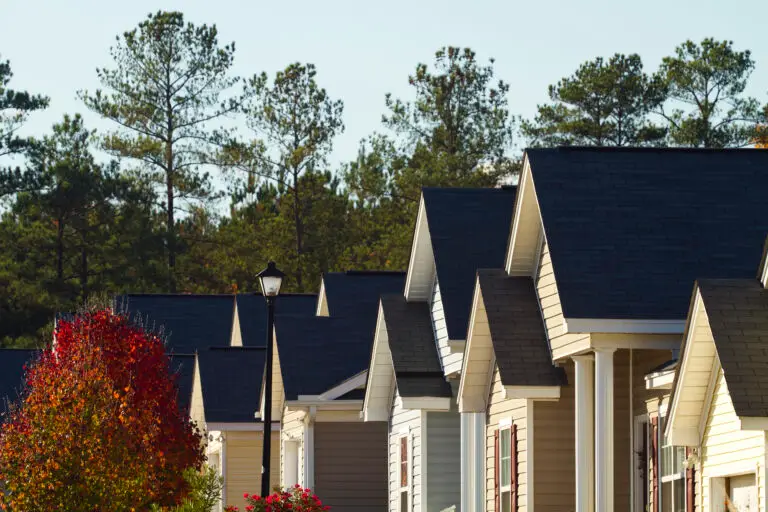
(170, 82)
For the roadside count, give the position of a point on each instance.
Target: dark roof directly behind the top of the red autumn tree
(189, 322)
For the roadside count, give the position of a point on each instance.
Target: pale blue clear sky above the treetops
(364, 49)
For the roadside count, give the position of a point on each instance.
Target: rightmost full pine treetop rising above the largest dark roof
(706, 84)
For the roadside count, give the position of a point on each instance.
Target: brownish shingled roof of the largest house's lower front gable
(517, 330)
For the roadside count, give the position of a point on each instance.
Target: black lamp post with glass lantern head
(271, 278)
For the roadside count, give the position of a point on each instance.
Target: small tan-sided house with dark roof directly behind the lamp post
(227, 386)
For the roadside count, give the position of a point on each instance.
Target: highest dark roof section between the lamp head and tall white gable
(357, 292)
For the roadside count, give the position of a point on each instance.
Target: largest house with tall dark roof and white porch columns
(610, 240)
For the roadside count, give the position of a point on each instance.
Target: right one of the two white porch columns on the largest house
(604, 430)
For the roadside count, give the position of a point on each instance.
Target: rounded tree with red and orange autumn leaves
(98, 427)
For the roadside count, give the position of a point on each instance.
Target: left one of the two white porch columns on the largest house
(585, 433)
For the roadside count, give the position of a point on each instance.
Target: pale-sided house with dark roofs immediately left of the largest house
(419, 344)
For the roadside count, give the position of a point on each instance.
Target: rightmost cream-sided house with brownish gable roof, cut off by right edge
(716, 426)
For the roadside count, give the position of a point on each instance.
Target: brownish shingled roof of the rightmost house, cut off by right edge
(738, 316)
